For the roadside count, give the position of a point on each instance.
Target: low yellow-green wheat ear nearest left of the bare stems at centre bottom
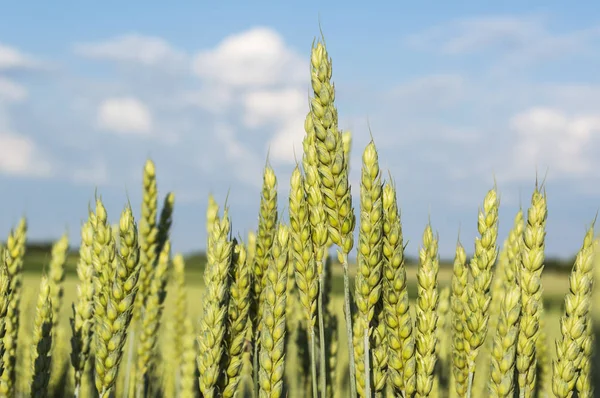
(272, 335)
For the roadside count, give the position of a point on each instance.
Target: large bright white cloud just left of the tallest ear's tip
(257, 57)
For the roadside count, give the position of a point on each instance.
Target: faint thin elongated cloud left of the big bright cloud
(146, 50)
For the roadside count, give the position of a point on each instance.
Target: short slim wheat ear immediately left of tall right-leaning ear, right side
(460, 278)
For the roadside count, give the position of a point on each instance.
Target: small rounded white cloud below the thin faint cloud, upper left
(125, 115)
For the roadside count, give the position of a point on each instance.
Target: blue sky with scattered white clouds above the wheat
(455, 97)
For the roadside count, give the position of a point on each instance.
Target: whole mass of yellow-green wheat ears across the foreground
(277, 284)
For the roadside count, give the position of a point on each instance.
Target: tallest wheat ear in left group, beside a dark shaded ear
(148, 232)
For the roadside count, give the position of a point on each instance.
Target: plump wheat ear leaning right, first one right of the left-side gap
(214, 319)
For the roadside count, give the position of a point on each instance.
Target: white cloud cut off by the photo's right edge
(549, 138)
